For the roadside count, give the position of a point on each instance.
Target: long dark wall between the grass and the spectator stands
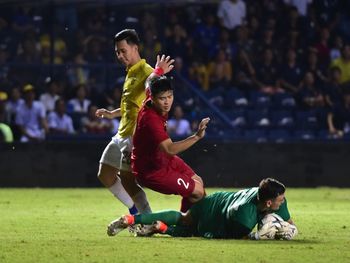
(69, 164)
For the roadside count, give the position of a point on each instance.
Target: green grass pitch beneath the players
(69, 225)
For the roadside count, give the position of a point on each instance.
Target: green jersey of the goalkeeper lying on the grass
(230, 214)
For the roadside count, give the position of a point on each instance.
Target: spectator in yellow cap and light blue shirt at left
(31, 117)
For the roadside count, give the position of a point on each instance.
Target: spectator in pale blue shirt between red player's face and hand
(178, 126)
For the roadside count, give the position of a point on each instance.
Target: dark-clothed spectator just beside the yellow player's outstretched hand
(92, 124)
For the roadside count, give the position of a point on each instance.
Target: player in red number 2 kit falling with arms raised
(154, 161)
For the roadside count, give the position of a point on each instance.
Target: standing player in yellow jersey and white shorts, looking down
(115, 171)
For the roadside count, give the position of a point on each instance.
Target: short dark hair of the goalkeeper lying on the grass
(270, 188)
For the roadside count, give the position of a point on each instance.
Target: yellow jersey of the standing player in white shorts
(133, 96)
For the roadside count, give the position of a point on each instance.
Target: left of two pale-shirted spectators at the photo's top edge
(231, 13)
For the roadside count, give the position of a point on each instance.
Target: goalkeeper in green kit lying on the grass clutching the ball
(221, 215)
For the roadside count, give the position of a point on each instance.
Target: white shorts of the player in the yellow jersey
(118, 153)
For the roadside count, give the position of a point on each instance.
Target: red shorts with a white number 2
(174, 179)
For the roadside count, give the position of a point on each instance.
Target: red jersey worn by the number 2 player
(150, 131)
